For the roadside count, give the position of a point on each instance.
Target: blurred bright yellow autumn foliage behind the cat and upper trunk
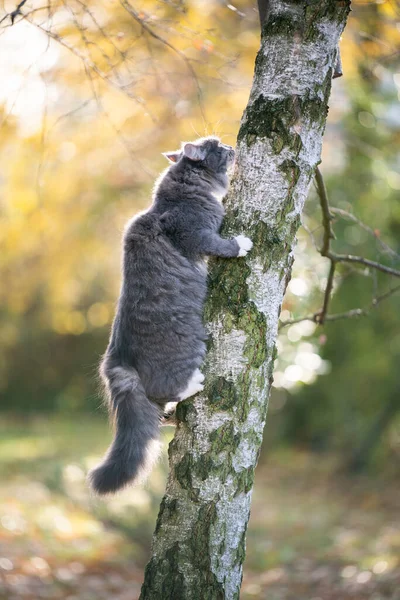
(93, 104)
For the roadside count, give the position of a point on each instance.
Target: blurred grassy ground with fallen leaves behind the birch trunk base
(314, 534)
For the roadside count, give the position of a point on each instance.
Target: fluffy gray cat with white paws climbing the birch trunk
(157, 342)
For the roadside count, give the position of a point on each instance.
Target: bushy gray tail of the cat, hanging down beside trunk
(136, 421)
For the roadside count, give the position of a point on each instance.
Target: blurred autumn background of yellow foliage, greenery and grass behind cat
(91, 94)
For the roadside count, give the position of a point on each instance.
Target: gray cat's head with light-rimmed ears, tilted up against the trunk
(208, 152)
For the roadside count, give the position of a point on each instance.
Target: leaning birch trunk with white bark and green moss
(199, 541)
